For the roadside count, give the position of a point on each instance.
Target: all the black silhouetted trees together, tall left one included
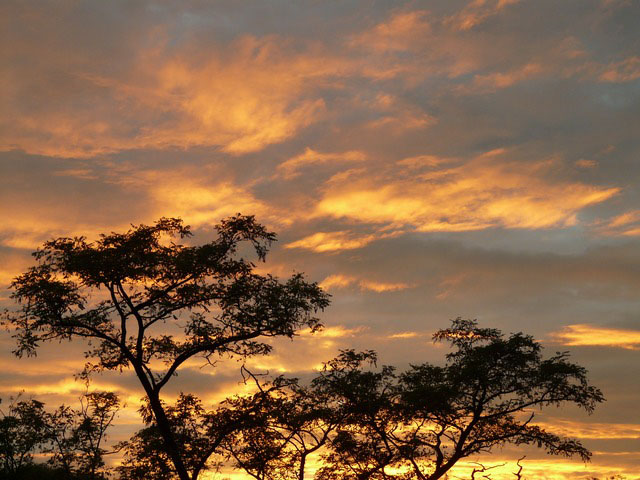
(141, 299)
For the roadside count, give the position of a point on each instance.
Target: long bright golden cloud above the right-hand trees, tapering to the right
(485, 192)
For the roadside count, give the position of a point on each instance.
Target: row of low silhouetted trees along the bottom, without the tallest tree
(363, 420)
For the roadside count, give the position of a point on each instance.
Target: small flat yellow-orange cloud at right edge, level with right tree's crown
(589, 335)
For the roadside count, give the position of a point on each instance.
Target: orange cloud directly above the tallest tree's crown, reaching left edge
(201, 197)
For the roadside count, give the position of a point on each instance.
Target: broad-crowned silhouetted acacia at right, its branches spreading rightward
(423, 421)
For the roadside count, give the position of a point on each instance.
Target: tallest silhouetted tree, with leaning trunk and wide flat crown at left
(128, 293)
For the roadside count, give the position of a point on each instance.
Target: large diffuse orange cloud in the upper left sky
(260, 95)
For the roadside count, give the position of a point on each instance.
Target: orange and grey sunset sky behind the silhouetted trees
(421, 160)
